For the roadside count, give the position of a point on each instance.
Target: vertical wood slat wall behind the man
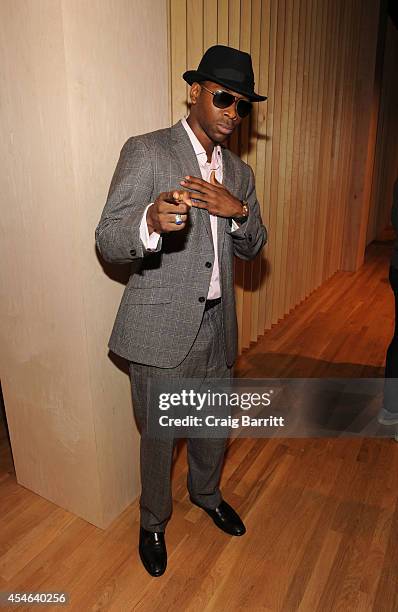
(300, 142)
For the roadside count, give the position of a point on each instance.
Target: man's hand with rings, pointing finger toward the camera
(161, 216)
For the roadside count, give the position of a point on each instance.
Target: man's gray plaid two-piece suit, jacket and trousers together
(161, 314)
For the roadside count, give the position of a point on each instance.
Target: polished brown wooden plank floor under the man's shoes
(321, 514)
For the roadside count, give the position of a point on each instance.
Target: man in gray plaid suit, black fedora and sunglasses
(180, 207)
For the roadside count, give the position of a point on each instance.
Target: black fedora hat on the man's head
(226, 66)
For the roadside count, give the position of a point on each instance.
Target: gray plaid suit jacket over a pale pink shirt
(163, 303)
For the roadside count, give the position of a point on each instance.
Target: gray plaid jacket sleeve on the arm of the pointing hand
(117, 235)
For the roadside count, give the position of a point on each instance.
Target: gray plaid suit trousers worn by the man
(206, 359)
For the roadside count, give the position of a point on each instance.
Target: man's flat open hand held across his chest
(213, 196)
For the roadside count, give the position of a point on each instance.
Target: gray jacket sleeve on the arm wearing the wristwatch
(251, 236)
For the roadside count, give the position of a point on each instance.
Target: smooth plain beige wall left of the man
(77, 78)
